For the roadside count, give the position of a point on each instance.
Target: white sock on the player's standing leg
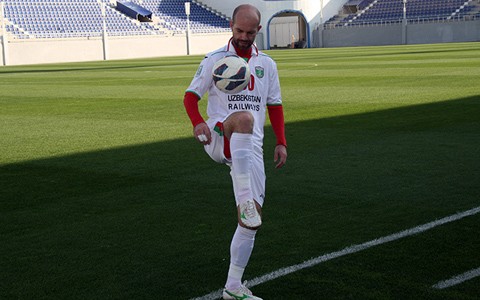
(240, 251)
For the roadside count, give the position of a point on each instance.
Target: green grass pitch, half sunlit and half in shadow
(104, 194)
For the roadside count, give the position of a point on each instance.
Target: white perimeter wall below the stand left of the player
(22, 52)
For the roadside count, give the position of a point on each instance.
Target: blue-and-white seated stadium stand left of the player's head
(27, 19)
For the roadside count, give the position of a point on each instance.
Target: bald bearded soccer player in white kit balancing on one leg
(233, 134)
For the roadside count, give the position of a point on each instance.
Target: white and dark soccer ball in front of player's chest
(231, 74)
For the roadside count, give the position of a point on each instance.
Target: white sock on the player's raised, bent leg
(241, 147)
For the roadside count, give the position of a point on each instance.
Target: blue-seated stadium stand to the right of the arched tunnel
(366, 12)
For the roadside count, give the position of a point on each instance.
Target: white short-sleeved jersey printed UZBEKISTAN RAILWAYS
(263, 89)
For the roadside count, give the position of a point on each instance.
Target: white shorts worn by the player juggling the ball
(219, 149)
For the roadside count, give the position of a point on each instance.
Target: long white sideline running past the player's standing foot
(348, 250)
